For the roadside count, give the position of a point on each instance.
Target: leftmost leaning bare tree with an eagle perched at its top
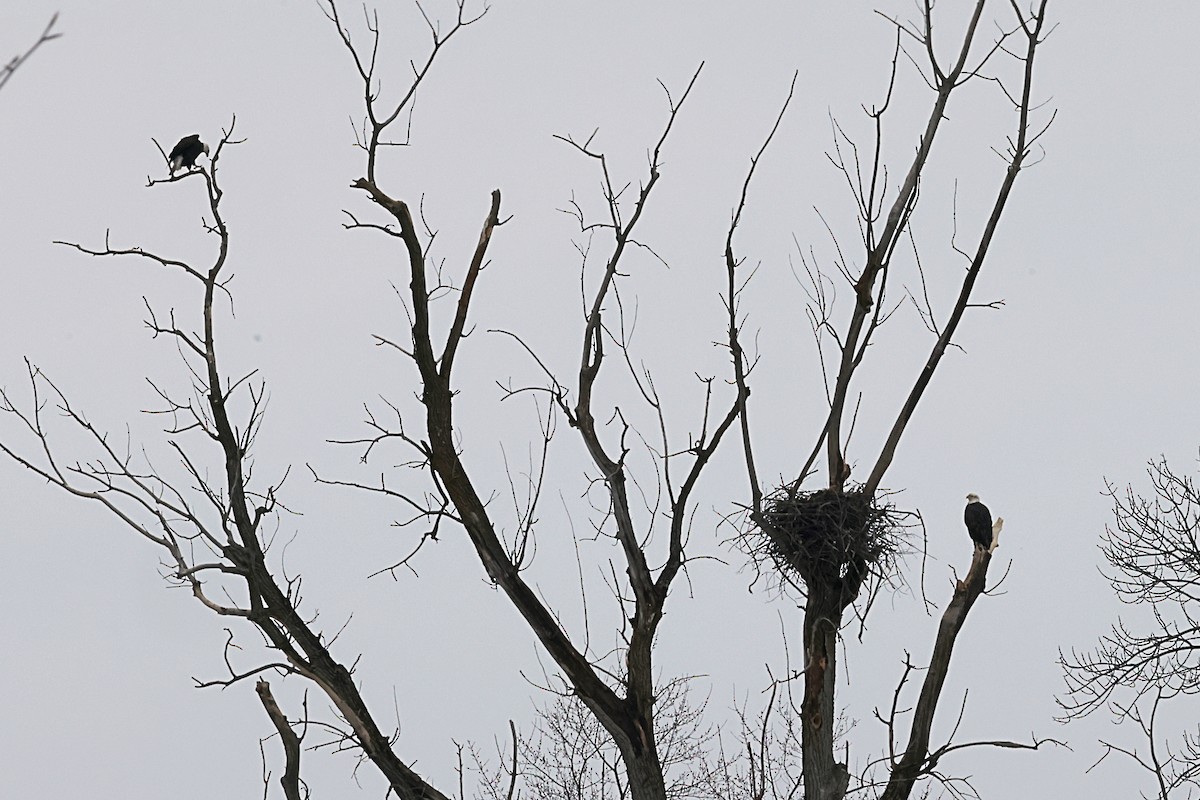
(209, 528)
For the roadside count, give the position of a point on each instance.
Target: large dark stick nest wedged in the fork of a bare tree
(831, 540)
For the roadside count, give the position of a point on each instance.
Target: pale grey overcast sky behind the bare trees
(1087, 372)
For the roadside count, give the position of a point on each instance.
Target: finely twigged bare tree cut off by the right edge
(1142, 670)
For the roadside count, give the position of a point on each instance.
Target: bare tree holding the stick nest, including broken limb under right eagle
(841, 543)
